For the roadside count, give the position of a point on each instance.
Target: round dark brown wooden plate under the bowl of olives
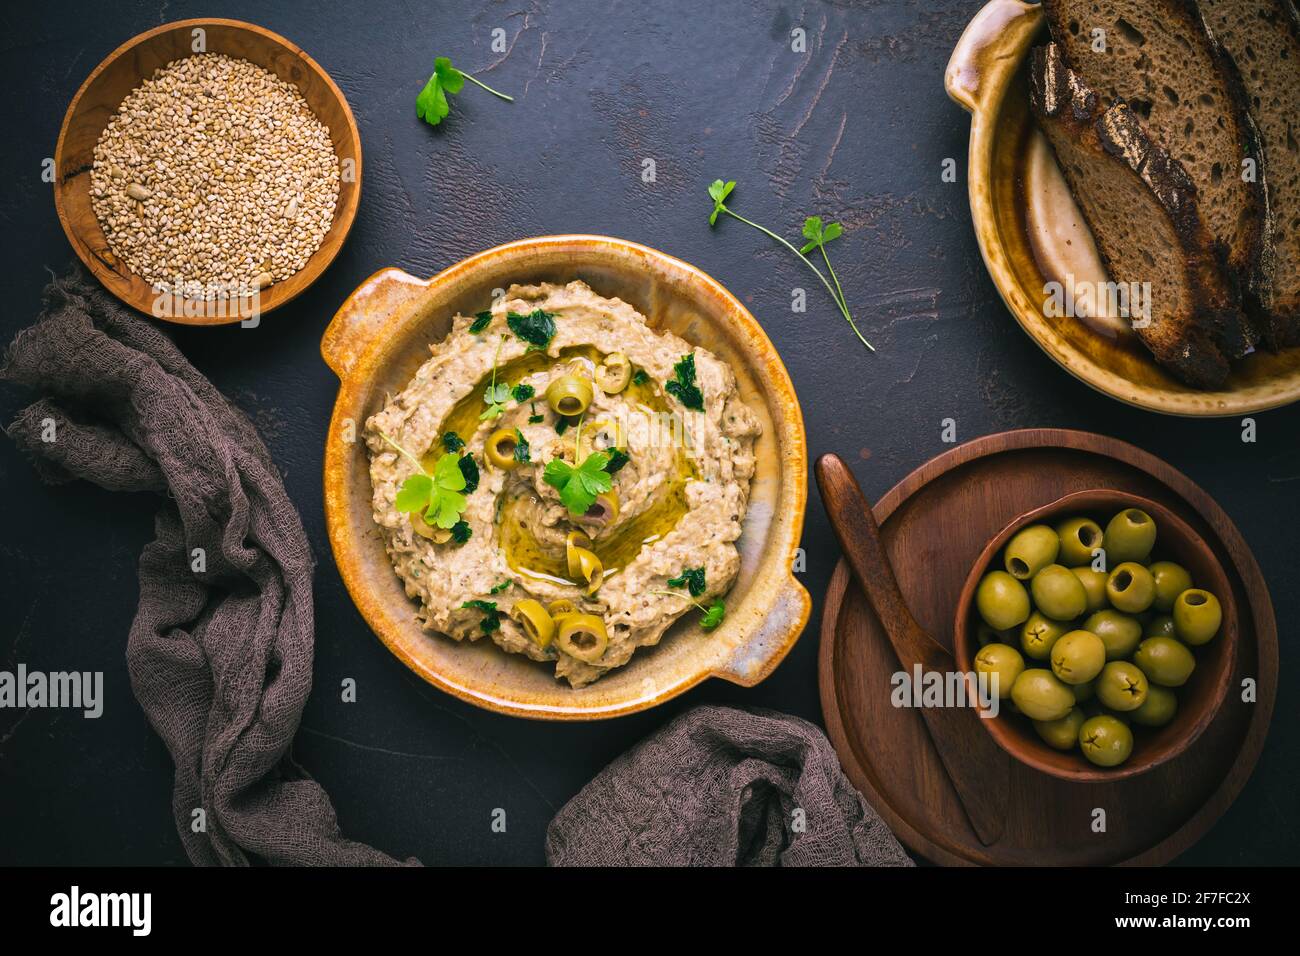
(934, 525)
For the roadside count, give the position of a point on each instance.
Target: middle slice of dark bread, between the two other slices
(1162, 60)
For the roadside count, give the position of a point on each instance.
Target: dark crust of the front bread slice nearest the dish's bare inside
(1073, 115)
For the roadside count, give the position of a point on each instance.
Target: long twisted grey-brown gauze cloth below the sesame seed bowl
(220, 659)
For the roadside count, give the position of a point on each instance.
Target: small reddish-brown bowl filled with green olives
(1107, 629)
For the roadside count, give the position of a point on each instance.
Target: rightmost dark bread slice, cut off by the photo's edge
(1263, 38)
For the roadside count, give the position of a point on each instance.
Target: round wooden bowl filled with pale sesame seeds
(226, 207)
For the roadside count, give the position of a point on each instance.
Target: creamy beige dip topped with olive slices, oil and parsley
(565, 481)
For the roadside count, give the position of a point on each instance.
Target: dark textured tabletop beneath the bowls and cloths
(855, 129)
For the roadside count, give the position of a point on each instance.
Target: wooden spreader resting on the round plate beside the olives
(976, 765)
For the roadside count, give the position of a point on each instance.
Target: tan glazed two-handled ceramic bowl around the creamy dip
(382, 336)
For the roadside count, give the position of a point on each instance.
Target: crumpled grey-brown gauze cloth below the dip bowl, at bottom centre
(725, 788)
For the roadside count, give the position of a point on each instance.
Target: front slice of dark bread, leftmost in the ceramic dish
(1143, 213)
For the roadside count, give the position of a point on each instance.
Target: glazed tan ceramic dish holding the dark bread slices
(1038, 246)
